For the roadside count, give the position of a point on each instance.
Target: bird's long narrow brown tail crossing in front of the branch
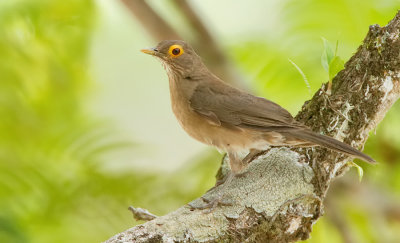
(331, 143)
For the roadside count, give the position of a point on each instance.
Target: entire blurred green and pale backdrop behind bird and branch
(86, 127)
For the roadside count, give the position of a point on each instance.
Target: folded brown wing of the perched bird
(226, 106)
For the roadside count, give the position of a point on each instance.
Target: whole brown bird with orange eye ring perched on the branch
(234, 121)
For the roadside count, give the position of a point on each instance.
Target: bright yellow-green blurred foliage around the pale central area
(54, 181)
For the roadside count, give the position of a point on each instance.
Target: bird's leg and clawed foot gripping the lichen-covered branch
(236, 165)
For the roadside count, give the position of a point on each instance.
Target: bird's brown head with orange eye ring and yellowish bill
(177, 56)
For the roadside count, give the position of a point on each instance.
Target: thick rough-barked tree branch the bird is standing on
(281, 195)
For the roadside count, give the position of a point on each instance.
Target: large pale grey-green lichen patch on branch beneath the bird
(270, 180)
